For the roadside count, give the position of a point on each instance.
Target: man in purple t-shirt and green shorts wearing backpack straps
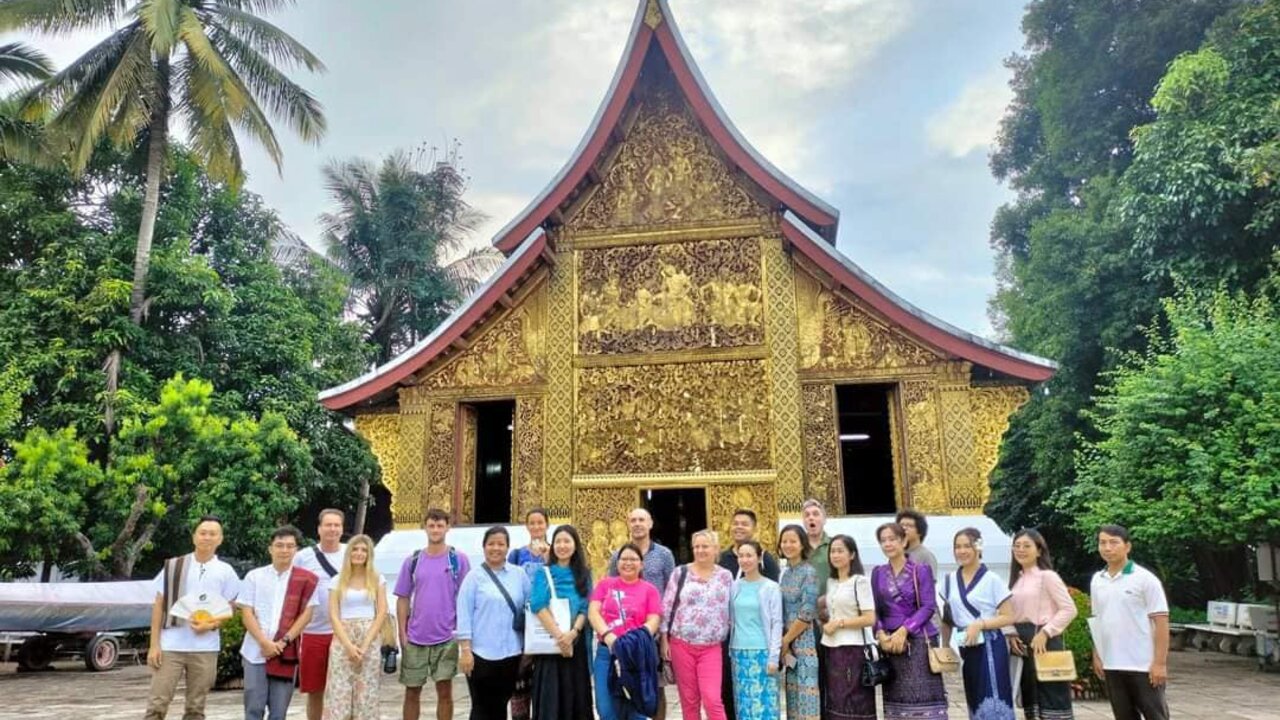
(427, 594)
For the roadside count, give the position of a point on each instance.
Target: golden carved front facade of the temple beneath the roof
(674, 341)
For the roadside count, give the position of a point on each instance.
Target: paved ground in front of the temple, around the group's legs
(1204, 686)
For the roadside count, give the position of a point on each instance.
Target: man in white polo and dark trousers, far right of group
(1131, 631)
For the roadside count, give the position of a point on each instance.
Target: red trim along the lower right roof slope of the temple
(911, 320)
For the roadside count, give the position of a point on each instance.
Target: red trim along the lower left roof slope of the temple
(419, 357)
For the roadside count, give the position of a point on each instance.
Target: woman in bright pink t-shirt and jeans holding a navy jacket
(620, 605)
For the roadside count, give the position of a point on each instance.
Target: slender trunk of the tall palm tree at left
(158, 149)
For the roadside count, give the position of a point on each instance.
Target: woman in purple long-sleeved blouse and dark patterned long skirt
(906, 603)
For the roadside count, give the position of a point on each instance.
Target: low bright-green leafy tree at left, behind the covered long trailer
(175, 459)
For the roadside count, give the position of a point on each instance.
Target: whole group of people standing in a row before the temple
(735, 631)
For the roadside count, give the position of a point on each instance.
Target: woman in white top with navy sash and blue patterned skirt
(977, 604)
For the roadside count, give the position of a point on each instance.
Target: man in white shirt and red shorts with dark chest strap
(326, 562)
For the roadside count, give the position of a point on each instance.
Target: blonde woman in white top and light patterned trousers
(358, 610)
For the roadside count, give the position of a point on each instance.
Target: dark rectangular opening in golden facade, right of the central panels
(867, 449)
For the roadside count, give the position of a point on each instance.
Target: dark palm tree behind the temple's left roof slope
(394, 230)
